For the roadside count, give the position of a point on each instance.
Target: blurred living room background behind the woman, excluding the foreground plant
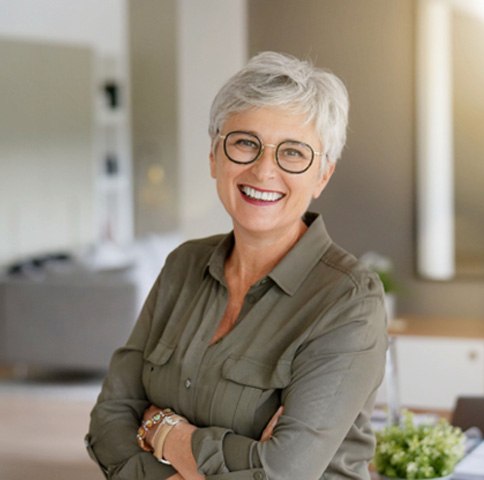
(104, 169)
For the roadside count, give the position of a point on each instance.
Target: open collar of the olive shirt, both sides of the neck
(291, 271)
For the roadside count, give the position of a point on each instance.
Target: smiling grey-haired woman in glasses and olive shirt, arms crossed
(258, 353)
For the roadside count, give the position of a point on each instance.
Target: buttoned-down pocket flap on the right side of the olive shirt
(252, 372)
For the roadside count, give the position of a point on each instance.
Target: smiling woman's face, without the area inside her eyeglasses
(260, 197)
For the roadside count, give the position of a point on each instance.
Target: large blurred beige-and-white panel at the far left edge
(47, 158)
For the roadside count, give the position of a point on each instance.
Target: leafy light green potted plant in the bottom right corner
(418, 451)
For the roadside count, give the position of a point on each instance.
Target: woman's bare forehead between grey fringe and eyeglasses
(272, 123)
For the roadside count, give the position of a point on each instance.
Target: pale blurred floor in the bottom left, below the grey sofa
(42, 426)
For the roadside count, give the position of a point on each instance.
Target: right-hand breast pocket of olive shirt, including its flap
(248, 383)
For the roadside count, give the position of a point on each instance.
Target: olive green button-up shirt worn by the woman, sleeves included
(310, 336)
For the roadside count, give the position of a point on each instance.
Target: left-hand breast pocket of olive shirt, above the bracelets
(156, 373)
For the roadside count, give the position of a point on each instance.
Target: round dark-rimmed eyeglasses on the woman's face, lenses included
(291, 156)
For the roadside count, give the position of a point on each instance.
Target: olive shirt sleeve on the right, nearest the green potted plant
(335, 375)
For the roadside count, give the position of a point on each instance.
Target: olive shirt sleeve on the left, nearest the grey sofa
(115, 418)
